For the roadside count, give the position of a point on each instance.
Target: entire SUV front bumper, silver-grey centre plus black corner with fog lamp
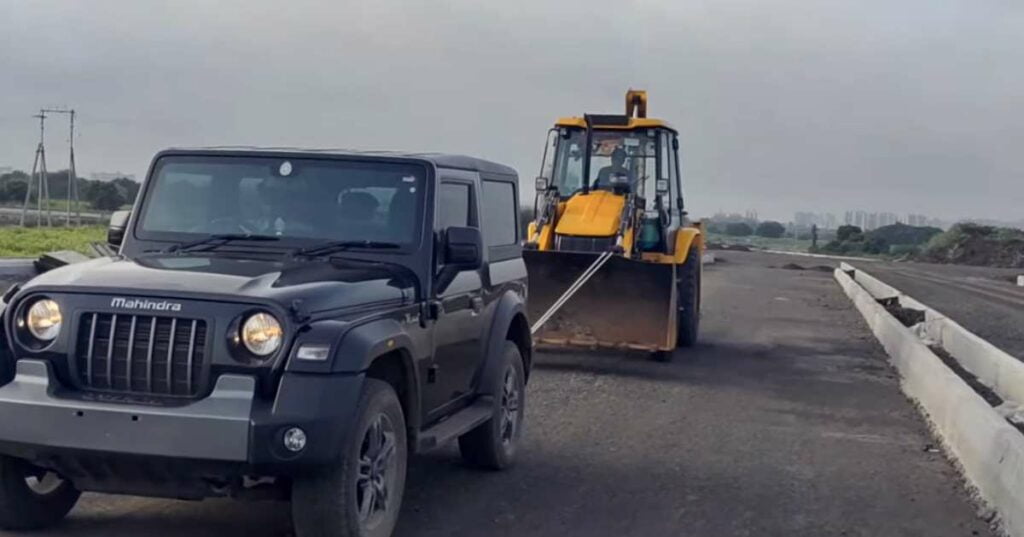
(230, 432)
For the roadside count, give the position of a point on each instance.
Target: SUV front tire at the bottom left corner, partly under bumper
(32, 499)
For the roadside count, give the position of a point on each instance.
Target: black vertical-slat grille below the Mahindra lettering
(150, 355)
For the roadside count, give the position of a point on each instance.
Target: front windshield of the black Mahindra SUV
(288, 198)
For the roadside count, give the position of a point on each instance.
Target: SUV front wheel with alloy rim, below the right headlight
(361, 494)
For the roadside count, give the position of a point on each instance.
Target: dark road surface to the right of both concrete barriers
(987, 302)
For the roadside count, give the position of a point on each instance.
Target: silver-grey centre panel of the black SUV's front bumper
(215, 429)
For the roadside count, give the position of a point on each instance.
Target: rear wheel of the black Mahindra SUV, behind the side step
(493, 444)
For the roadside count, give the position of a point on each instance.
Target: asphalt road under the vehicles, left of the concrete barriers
(786, 421)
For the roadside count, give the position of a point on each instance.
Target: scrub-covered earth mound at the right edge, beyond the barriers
(980, 245)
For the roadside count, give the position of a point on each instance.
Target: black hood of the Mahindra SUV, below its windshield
(321, 285)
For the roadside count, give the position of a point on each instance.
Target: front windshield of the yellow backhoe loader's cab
(614, 153)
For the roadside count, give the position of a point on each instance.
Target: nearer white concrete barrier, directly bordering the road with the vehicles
(988, 448)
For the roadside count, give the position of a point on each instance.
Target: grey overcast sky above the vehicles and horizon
(916, 106)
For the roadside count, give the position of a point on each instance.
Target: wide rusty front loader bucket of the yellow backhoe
(626, 305)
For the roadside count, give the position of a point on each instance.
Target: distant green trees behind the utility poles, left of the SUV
(98, 195)
